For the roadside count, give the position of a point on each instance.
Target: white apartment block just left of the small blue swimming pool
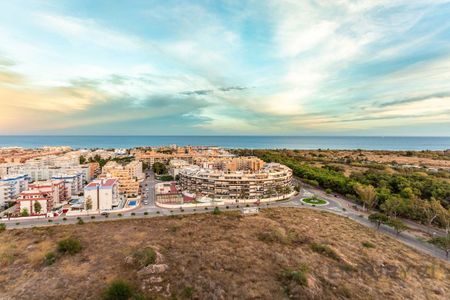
(103, 194)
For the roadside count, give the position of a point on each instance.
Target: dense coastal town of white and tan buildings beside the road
(58, 182)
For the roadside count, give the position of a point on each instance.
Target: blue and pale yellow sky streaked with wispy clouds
(337, 67)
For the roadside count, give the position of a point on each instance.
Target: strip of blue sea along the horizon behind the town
(251, 142)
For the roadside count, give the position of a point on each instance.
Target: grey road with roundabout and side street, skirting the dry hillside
(148, 209)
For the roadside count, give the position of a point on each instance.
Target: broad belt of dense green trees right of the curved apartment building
(405, 193)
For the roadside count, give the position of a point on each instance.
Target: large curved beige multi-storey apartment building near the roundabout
(273, 180)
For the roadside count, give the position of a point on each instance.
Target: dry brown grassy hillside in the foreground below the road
(280, 253)
